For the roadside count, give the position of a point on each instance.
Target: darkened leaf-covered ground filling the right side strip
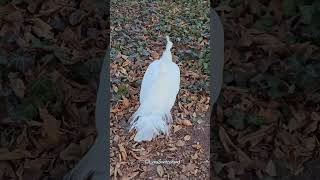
(267, 117)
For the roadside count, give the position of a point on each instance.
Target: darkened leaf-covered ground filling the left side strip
(50, 61)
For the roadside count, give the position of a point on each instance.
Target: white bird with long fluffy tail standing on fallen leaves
(159, 88)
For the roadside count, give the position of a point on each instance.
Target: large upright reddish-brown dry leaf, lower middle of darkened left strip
(50, 125)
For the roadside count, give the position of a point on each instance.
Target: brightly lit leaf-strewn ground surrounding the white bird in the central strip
(138, 33)
